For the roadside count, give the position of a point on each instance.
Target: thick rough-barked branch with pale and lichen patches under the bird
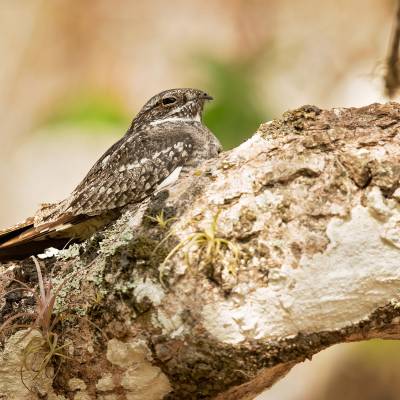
(295, 246)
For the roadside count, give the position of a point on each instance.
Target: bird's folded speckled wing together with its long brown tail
(127, 173)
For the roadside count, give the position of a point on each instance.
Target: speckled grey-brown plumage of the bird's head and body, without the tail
(159, 140)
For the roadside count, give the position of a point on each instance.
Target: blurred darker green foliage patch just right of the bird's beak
(235, 113)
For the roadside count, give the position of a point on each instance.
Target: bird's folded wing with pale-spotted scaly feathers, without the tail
(131, 169)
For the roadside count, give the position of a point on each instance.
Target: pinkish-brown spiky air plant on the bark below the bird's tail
(39, 351)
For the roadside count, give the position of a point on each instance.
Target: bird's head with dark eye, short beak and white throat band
(172, 105)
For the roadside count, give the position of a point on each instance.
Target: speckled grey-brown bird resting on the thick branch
(166, 137)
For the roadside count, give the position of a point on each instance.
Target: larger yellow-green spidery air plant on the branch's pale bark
(210, 246)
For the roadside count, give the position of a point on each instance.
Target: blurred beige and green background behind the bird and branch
(73, 75)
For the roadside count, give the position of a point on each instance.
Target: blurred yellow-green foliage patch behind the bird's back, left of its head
(88, 109)
